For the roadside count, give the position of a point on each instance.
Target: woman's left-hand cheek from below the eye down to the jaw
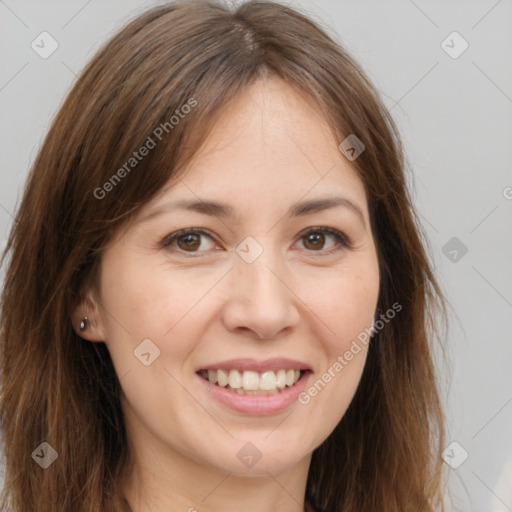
(142, 304)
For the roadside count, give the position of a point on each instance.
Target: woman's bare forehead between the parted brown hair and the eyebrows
(272, 140)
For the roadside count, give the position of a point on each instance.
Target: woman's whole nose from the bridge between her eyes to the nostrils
(260, 299)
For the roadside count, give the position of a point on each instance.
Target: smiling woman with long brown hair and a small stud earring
(218, 295)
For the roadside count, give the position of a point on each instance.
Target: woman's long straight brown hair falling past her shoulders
(385, 454)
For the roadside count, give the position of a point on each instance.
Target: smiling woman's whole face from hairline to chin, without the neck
(276, 282)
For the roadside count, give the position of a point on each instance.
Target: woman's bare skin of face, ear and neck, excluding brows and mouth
(270, 149)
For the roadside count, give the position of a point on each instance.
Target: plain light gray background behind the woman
(455, 115)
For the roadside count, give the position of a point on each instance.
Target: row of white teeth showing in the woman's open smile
(253, 383)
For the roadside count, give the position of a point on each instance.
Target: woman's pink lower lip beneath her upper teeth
(257, 405)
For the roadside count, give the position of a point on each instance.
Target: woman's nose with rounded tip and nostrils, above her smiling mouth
(260, 299)
